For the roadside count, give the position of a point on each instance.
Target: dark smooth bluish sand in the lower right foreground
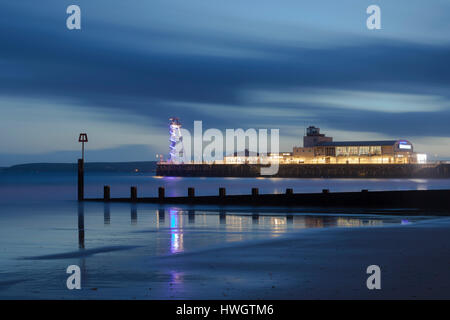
(318, 264)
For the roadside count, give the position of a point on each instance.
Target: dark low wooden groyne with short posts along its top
(411, 199)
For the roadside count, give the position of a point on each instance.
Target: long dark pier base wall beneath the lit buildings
(308, 170)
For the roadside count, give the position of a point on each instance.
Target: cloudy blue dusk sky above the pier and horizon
(232, 64)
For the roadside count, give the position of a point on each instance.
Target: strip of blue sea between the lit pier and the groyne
(56, 186)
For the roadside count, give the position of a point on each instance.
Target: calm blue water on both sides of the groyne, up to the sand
(43, 229)
